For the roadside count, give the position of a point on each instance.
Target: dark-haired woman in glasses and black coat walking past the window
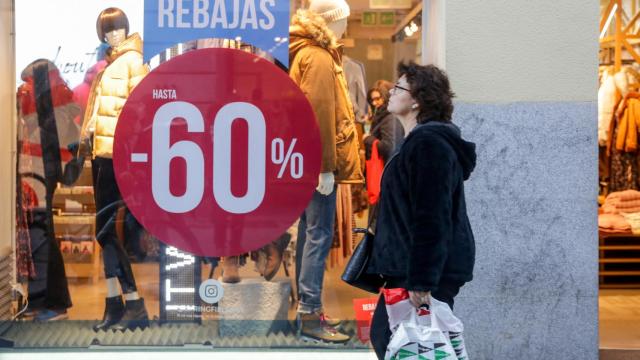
(423, 240)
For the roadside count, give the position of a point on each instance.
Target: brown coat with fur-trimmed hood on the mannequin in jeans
(316, 66)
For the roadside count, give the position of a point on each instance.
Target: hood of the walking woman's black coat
(465, 150)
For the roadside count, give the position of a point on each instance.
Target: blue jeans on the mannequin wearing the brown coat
(315, 235)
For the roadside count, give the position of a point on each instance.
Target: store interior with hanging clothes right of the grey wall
(619, 239)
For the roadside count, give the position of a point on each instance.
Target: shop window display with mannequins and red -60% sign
(194, 176)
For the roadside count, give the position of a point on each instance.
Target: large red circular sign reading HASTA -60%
(217, 152)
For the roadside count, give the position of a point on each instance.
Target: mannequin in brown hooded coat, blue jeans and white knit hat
(316, 66)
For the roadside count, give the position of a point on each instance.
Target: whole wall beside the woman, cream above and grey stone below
(525, 73)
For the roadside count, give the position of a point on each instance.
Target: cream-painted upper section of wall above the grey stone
(520, 50)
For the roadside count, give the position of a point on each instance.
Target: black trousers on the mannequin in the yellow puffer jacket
(108, 201)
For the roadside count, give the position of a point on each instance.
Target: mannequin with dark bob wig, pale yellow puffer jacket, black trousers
(109, 92)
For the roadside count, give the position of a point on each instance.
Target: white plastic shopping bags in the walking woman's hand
(434, 334)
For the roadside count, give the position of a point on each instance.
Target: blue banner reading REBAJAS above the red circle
(261, 23)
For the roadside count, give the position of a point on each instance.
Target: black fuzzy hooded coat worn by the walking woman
(423, 237)
